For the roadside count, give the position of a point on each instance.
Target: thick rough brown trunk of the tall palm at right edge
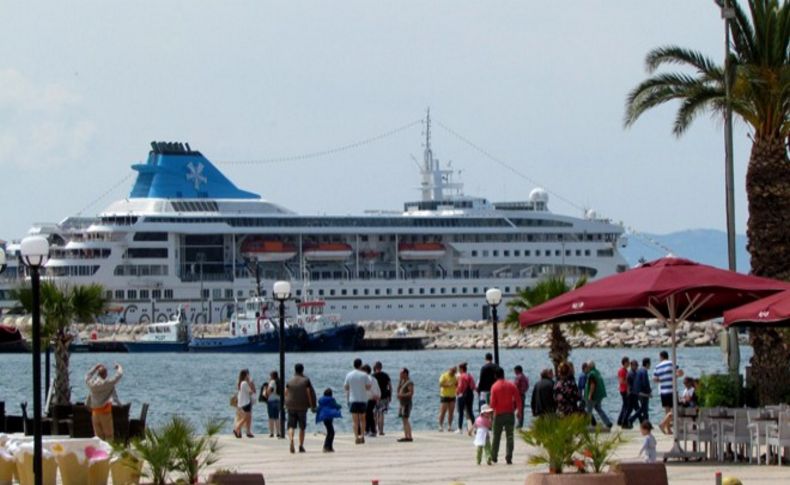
(768, 191)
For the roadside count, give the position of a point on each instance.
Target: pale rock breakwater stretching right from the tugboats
(614, 333)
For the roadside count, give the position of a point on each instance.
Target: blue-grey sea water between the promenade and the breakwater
(199, 386)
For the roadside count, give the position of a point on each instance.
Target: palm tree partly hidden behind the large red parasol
(545, 290)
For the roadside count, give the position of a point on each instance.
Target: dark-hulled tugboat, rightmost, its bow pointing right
(326, 332)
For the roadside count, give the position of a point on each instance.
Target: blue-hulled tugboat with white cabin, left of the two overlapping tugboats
(251, 330)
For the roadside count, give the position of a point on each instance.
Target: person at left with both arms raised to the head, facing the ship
(102, 395)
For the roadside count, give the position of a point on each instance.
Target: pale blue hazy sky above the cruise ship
(85, 86)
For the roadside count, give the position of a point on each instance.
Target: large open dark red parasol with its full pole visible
(683, 289)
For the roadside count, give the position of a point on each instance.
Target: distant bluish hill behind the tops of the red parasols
(707, 246)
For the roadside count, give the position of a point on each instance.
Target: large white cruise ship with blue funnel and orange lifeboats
(187, 236)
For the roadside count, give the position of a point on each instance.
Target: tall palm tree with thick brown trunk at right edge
(760, 96)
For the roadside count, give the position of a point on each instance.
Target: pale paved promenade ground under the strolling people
(434, 458)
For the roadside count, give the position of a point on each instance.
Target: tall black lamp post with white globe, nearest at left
(35, 250)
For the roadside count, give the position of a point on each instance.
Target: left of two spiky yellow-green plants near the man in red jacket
(558, 439)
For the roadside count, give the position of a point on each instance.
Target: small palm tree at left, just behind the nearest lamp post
(60, 307)
